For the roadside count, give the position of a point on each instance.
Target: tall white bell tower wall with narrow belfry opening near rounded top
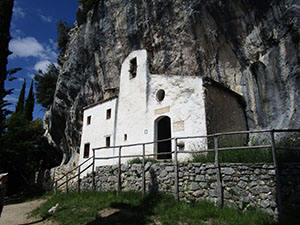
(132, 106)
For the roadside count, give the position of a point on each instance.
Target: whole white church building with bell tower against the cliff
(148, 108)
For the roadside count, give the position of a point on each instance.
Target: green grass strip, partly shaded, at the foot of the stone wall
(134, 208)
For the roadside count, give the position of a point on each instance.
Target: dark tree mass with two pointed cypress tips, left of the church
(23, 145)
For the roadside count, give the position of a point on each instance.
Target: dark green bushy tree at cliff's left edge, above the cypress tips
(45, 84)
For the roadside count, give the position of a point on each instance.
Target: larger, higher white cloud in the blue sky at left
(25, 47)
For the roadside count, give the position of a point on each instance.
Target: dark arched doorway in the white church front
(163, 131)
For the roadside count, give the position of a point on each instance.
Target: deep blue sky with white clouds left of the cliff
(34, 34)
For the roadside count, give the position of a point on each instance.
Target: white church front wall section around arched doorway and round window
(184, 104)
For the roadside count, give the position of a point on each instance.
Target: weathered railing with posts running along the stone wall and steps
(216, 149)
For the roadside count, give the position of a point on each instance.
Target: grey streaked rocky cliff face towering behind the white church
(250, 46)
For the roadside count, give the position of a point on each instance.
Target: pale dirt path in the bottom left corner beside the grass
(16, 214)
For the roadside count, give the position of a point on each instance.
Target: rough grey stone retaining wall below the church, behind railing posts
(243, 185)
